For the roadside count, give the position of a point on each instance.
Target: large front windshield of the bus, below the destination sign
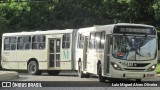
(129, 47)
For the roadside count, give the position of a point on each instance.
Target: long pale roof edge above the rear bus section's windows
(40, 32)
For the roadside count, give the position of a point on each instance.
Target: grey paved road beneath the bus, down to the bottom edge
(70, 81)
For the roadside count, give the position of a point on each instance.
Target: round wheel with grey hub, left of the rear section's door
(33, 68)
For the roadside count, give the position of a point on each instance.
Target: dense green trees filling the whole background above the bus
(61, 14)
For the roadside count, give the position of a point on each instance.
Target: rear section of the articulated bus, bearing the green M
(38, 51)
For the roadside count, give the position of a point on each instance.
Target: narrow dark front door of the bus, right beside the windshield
(107, 54)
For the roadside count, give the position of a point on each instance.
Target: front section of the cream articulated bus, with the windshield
(123, 50)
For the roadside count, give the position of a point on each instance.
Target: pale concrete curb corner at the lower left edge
(8, 75)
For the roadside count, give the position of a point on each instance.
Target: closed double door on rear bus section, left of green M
(54, 52)
